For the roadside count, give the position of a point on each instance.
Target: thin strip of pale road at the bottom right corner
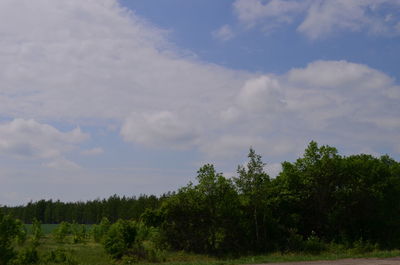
(372, 261)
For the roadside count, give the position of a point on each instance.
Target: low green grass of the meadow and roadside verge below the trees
(90, 253)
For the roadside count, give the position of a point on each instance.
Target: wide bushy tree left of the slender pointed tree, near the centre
(201, 218)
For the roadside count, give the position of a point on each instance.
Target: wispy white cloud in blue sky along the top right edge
(318, 19)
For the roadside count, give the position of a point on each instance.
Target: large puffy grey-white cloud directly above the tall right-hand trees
(336, 102)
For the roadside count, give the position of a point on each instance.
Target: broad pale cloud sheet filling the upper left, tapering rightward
(105, 60)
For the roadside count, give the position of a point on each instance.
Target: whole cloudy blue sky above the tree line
(130, 97)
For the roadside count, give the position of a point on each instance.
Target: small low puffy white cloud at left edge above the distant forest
(30, 139)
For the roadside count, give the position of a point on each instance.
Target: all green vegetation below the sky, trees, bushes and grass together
(322, 206)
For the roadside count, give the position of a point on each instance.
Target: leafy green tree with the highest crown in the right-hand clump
(307, 190)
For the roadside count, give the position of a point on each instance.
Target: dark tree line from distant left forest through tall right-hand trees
(321, 197)
